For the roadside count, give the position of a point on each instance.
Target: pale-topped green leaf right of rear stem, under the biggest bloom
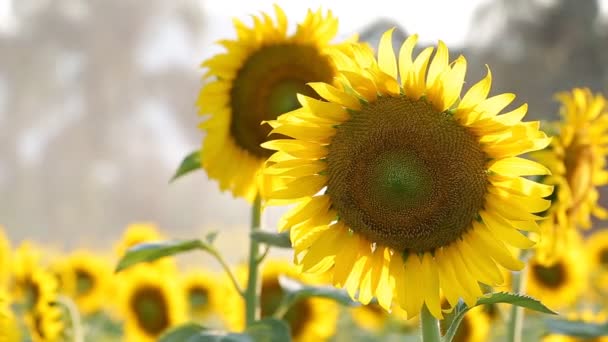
(295, 291)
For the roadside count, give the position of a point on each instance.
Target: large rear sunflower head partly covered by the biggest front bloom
(256, 79)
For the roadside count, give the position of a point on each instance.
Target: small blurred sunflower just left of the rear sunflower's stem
(203, 293)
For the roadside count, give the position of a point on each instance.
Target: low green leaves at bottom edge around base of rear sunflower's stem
(265, 330)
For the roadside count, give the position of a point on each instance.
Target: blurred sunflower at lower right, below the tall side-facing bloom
(557, 283)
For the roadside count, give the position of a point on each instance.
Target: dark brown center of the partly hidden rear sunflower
(266, 86)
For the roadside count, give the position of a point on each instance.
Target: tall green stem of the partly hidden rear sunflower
(251, 293)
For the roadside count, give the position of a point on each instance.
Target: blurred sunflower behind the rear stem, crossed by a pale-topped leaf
(310, 319)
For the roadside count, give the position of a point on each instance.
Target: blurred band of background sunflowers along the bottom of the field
(53, 296)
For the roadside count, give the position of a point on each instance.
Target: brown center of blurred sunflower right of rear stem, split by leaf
(297, 316)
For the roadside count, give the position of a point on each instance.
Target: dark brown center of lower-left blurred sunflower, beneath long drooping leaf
(151, 310)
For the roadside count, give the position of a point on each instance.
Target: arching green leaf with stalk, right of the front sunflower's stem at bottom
(493, 298)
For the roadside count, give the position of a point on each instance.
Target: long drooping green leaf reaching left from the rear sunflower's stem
(155, 250)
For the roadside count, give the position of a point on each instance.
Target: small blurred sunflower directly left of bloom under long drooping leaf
(86, 278)
